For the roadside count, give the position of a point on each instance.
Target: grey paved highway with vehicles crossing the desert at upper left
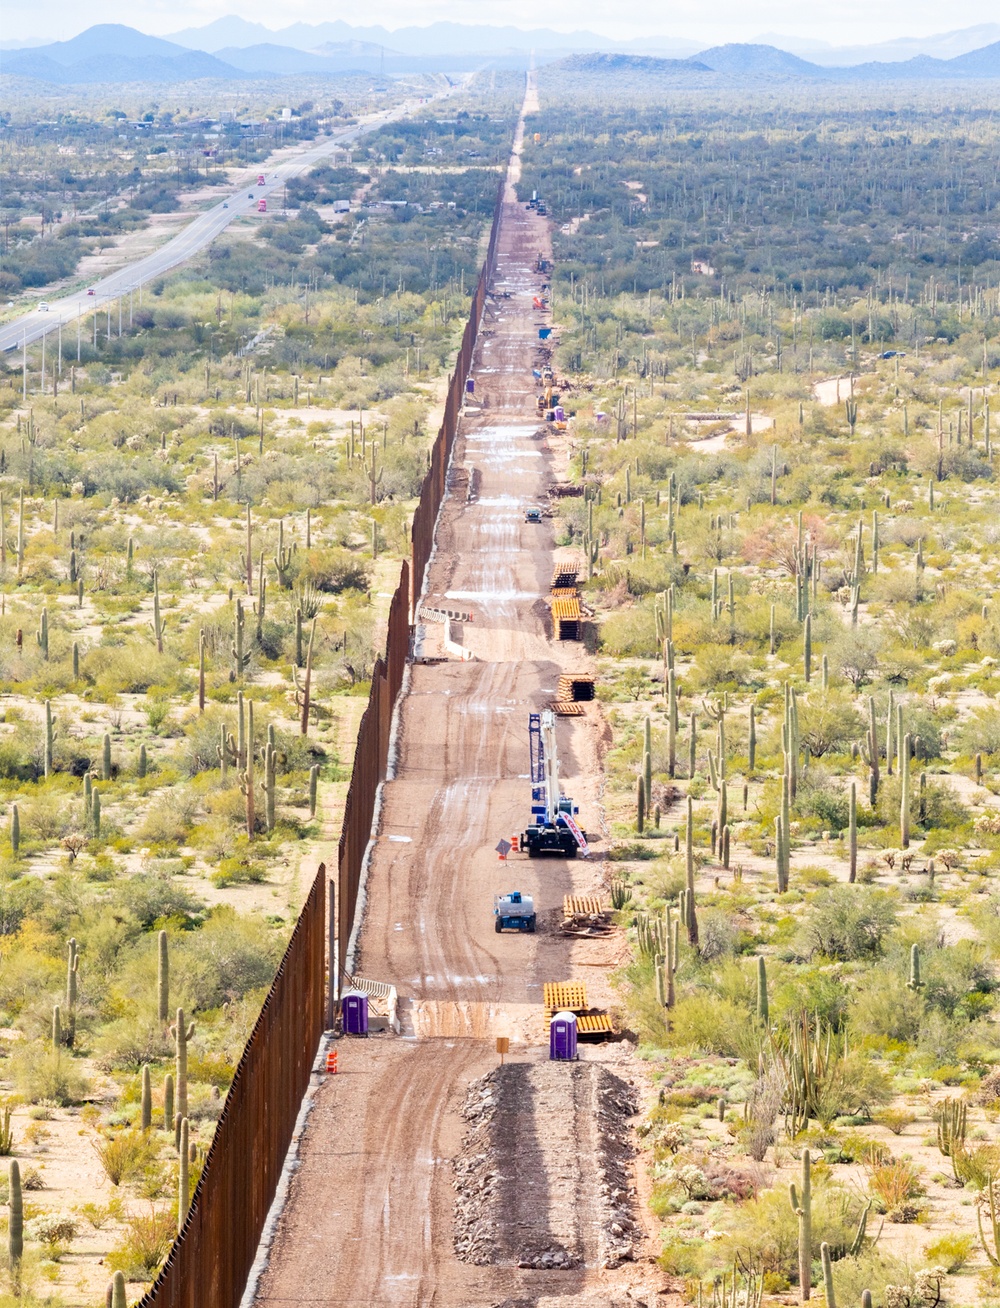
(199, 233)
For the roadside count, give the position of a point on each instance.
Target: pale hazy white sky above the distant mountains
(846, 22)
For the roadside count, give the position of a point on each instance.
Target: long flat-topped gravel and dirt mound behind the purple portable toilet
(543, 1178)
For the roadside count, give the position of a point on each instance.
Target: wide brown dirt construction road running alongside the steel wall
(371, 1217)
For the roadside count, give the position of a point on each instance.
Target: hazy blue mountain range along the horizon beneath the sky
(112, 53)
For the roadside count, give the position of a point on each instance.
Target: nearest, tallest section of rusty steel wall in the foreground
(211, 1260)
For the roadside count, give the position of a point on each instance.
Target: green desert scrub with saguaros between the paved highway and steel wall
(203, 511)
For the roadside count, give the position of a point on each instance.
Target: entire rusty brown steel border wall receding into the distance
(210, 1263)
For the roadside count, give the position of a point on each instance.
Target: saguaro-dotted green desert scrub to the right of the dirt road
(780, 334)
